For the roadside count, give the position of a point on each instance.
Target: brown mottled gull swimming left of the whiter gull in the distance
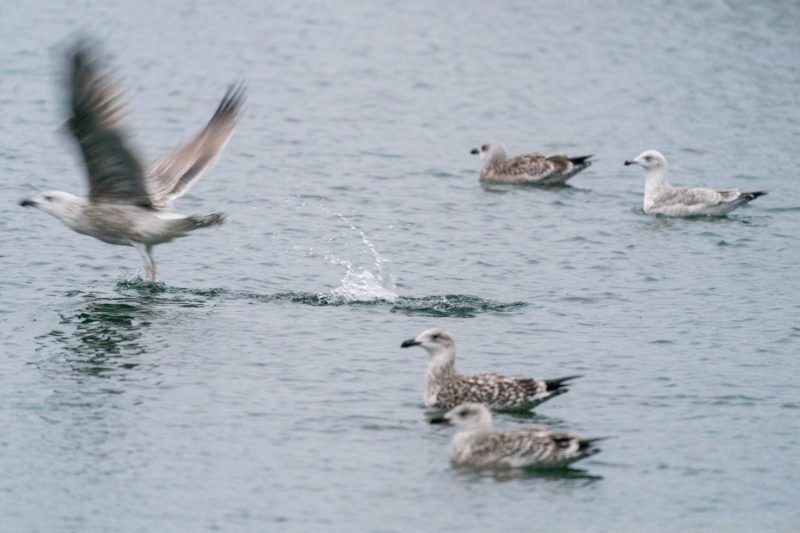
(529, 168)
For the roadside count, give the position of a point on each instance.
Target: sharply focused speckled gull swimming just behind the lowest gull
(445, 387)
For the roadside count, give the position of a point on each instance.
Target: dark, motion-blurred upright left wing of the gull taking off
(113, 169)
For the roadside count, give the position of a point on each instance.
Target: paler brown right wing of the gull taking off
(174, 174)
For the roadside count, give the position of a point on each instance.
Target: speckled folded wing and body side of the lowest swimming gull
(530, 446)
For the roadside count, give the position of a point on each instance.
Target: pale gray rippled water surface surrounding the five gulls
(253, 390)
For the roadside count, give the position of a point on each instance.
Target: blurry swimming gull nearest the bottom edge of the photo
(476, 444)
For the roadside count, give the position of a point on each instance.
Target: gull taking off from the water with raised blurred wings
(127, 204)
